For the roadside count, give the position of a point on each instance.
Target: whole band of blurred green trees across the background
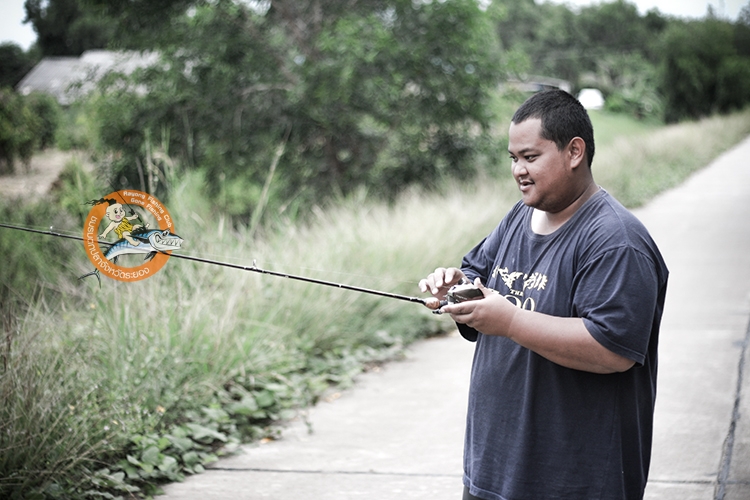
(383, 94)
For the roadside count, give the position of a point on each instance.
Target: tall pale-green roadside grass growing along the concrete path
(109, 392)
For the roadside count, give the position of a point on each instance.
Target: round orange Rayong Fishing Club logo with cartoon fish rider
(136, 233)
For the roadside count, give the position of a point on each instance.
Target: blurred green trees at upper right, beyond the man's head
(647, 65)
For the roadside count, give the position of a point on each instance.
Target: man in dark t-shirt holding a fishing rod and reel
(563, 382)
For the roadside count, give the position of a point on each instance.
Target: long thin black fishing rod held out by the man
(430, 303)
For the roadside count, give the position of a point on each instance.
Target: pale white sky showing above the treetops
(12, 14)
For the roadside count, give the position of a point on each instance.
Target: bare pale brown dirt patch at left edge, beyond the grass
(36, 180)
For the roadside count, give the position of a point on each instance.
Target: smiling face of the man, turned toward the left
(542, 172)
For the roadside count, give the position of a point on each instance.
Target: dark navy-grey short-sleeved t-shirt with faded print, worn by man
(535, 429)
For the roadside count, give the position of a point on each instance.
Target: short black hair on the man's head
(563, 118)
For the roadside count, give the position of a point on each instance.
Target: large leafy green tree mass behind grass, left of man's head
(338, 94)
